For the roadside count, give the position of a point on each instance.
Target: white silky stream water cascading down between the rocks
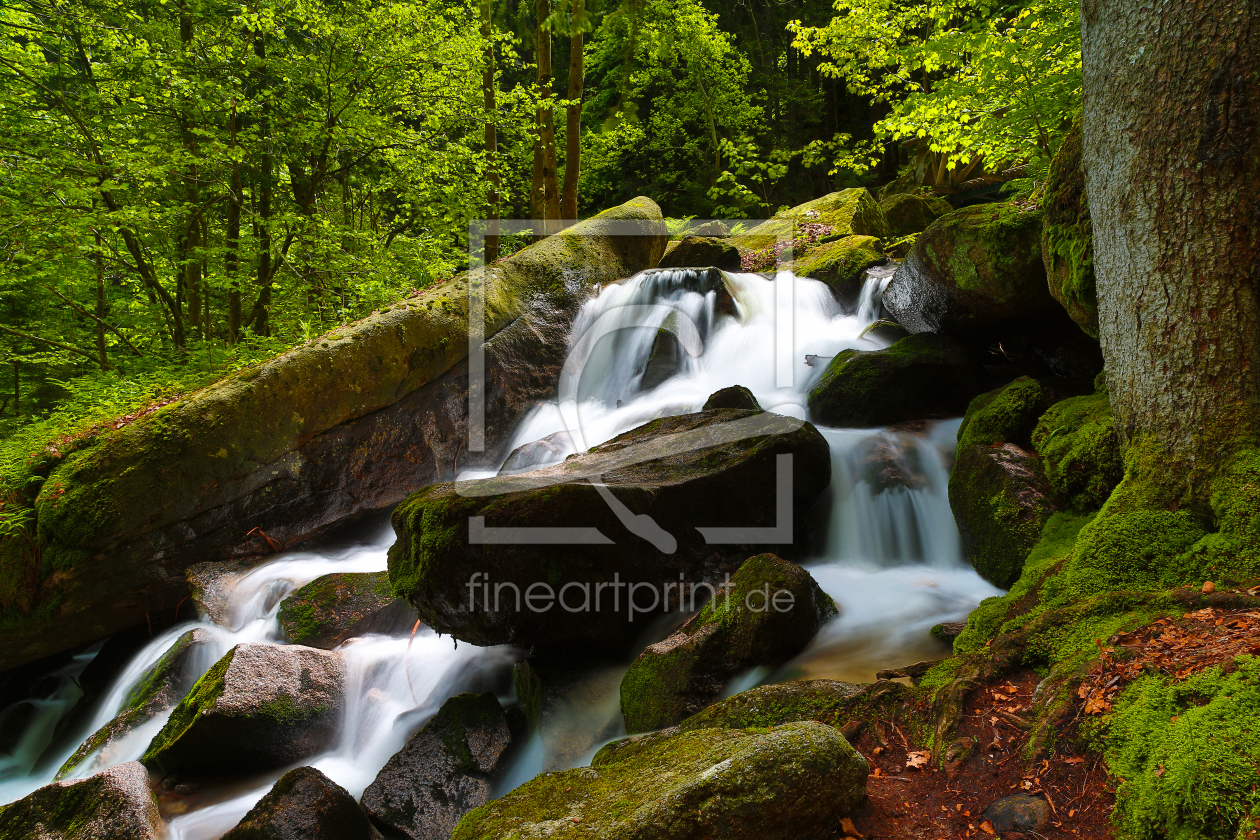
(888, 548)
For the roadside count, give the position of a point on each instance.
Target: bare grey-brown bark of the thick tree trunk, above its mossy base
(1172, 172)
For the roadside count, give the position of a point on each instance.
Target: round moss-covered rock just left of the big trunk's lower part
(1080, 451)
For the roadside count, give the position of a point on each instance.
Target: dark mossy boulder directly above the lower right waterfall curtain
(917, 378)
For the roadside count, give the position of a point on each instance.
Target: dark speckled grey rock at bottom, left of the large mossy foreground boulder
(444, 771)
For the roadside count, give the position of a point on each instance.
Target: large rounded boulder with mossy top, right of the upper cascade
(973, 274)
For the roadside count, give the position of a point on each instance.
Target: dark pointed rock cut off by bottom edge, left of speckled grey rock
(304, 804)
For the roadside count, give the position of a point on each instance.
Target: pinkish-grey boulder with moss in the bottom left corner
(113, 805)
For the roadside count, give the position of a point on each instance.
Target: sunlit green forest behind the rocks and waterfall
(188, 187)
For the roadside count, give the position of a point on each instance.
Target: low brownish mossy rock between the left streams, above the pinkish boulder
(336, 608)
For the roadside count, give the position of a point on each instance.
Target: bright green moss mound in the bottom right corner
(1185, 755)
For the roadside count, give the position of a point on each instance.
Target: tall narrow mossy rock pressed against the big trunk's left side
(1068, 236)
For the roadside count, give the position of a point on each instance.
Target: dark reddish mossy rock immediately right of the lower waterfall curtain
(1001, 501)
